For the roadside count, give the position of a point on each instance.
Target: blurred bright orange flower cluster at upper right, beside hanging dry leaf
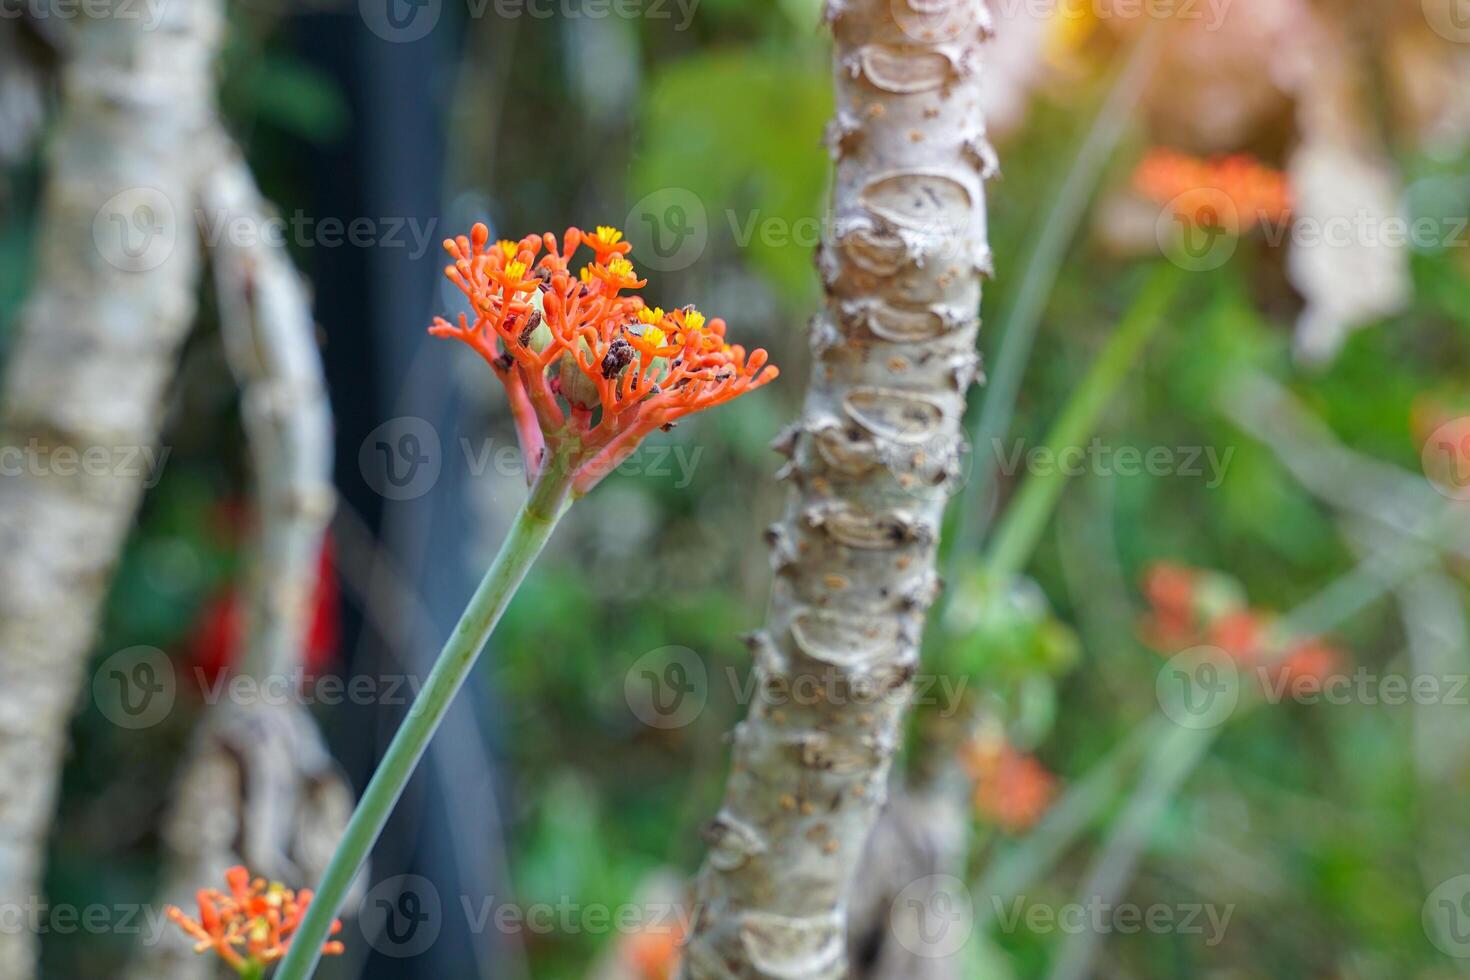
(1197, 189)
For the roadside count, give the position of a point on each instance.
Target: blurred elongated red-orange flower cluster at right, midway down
(1183, 615)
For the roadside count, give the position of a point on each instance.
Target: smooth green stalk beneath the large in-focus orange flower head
(528, 537)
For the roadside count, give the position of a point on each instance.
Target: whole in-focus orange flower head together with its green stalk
(590, 370)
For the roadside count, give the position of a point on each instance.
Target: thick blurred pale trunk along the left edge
(86, 384)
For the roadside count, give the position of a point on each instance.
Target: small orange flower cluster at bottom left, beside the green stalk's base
(251, 926)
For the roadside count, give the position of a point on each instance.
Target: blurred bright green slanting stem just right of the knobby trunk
(1027, 516)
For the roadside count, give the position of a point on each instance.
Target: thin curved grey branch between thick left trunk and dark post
(259, 787)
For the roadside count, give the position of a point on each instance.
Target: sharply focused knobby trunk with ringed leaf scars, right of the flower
(872, 461)
